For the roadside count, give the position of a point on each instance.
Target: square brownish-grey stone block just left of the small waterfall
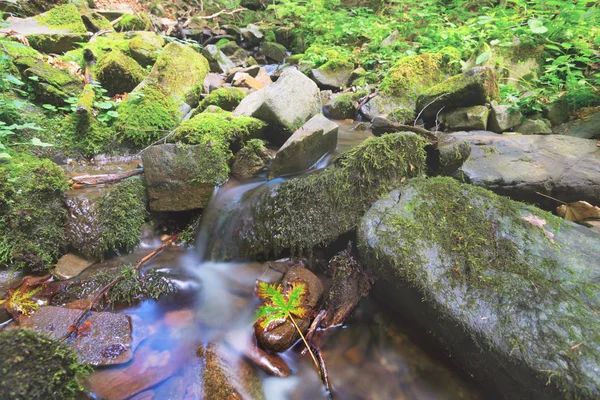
(170, 171)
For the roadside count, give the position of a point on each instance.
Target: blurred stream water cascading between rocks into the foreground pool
(371, 357)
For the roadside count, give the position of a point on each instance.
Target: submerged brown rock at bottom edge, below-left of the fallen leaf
(227, 376)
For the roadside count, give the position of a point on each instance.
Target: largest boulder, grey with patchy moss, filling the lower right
(509, 290)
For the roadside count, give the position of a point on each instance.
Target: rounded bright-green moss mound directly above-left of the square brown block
(147, 116)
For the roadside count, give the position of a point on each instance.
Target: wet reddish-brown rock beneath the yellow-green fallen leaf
(282, 335)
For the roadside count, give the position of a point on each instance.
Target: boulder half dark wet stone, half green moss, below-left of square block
(110, 224)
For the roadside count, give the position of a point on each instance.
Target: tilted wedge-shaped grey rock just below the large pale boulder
(314, 139)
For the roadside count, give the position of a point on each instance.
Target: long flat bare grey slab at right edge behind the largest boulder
(519, 166)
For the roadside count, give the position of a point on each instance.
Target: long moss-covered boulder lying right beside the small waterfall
(315, 209)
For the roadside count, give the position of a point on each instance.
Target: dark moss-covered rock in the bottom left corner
(36, 366)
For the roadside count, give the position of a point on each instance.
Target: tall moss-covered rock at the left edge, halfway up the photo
(31, 212)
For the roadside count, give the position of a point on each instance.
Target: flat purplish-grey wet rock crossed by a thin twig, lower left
(103, 338)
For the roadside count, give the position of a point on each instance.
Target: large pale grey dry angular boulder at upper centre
(285, 105)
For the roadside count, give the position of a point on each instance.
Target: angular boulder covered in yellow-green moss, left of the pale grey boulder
(179, 72)
